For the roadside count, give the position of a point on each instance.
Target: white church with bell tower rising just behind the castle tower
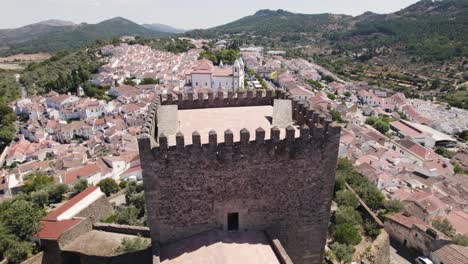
(206, 76)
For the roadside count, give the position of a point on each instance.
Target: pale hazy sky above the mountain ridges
(186, 14)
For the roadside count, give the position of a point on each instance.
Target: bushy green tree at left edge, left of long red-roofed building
(22, 219)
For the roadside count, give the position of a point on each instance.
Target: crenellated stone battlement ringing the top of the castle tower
(317, 124)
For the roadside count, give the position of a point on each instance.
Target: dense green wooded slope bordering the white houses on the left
(62, 73)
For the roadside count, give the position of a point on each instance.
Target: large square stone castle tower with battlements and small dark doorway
(282, 185)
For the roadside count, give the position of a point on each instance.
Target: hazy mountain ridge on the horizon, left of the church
(46, 38)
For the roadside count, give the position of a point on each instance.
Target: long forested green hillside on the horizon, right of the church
(431, 30)
